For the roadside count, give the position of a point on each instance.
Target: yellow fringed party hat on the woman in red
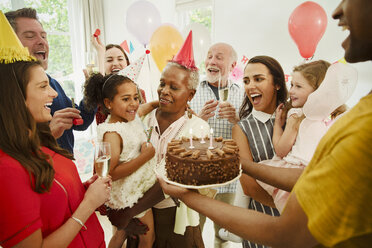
(11, 48)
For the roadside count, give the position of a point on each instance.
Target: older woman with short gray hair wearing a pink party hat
(176, 226)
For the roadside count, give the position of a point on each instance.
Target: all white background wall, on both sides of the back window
(253, 27)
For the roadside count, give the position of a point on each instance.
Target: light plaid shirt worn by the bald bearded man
(221, 127)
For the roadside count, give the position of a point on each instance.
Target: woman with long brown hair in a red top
(43, 202)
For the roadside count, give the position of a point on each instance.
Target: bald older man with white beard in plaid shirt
(221, 115)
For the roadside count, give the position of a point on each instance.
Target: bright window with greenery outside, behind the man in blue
(59, 19)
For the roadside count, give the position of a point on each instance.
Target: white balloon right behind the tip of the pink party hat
(201, 40)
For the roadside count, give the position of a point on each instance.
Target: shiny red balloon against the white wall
(306, 26)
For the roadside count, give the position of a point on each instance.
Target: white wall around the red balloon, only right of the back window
(260, 27)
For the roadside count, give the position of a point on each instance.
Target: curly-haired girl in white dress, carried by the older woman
(132, 157)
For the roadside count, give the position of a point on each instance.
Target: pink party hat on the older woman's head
(185, 55)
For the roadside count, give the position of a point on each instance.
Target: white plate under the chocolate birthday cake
(160, 170)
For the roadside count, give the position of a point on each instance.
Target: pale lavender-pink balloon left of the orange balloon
(143, 18)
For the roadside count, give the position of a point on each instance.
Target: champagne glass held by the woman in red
(102, 156)
